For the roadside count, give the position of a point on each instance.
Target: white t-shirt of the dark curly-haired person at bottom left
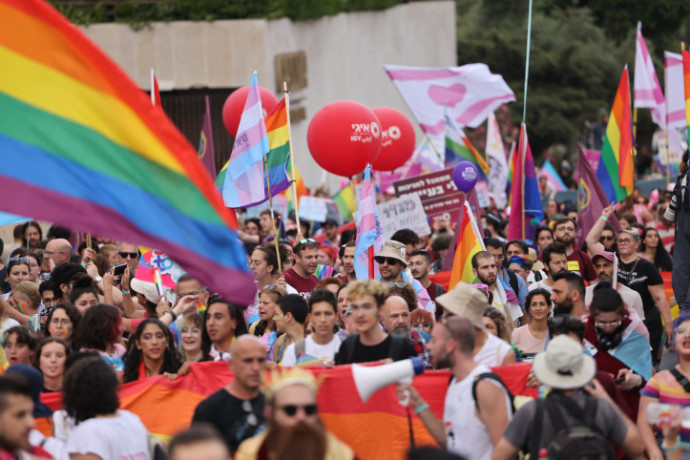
(118, 437)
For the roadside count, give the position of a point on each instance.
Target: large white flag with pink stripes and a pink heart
(468, 94)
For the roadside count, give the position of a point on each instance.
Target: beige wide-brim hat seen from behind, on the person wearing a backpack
(564, 365)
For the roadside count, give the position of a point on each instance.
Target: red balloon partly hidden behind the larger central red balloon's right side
(397, 139)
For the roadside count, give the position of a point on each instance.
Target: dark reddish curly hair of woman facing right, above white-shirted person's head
(98, 328)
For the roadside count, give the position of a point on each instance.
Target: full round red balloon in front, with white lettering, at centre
(343, 137)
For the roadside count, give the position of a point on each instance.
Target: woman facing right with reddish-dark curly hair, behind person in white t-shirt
(100, 330)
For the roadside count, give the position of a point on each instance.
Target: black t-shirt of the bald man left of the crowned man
(226, 414)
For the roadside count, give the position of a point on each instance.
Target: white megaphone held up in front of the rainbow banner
(369, 380)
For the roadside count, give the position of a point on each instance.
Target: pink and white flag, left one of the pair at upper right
(647, 88)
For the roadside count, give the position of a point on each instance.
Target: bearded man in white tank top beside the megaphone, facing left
(469, 428)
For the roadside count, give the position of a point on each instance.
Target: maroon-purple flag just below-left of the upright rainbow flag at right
(591, 199)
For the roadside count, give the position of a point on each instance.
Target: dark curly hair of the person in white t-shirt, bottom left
(90, 389)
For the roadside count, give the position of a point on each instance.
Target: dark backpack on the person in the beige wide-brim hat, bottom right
(581, 440)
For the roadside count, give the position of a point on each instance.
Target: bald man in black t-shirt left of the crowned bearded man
(237, 410)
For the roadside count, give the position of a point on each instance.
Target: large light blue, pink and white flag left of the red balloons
(244, 180)
